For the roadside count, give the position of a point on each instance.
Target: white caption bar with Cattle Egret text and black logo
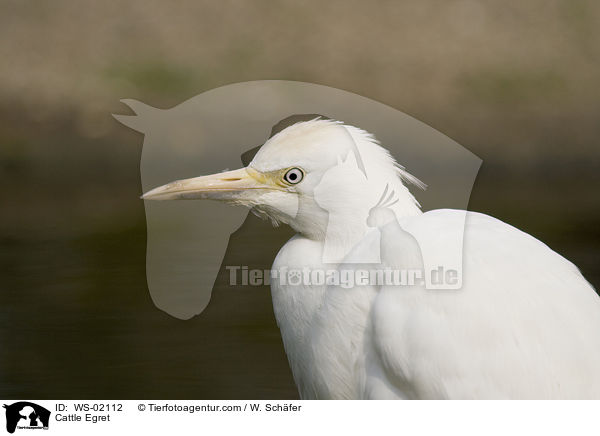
(301, 417)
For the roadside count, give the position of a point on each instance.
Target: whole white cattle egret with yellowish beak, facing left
(524, 325)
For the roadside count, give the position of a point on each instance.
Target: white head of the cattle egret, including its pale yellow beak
(302, 175)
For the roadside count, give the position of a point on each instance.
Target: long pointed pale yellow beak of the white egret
(230, 185)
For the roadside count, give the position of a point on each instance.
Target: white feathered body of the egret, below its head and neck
(528, 330)
